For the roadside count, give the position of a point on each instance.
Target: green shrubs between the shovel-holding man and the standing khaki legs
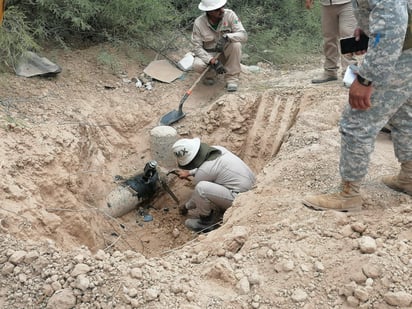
(279, 31)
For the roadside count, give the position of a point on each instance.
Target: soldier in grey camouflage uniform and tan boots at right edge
(382, 93)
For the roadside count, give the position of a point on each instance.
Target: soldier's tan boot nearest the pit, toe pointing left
(348, 199)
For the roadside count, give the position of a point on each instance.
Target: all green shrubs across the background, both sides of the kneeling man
(279, 31)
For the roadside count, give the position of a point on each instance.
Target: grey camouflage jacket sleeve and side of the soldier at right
(386, 24)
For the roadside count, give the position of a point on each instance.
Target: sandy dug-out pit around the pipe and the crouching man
(65, 139)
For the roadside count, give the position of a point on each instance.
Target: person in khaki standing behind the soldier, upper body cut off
(338, 21)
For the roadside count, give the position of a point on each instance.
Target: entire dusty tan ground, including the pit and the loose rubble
(65, 138)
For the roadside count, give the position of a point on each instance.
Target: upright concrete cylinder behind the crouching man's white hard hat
(162, 139)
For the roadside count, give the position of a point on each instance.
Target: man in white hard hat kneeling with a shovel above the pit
(218, 30)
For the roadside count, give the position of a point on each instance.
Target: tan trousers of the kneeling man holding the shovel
(230, 58)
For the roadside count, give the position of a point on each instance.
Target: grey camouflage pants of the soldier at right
(391, 103)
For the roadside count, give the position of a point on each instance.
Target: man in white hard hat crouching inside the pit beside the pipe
(219, 175)
